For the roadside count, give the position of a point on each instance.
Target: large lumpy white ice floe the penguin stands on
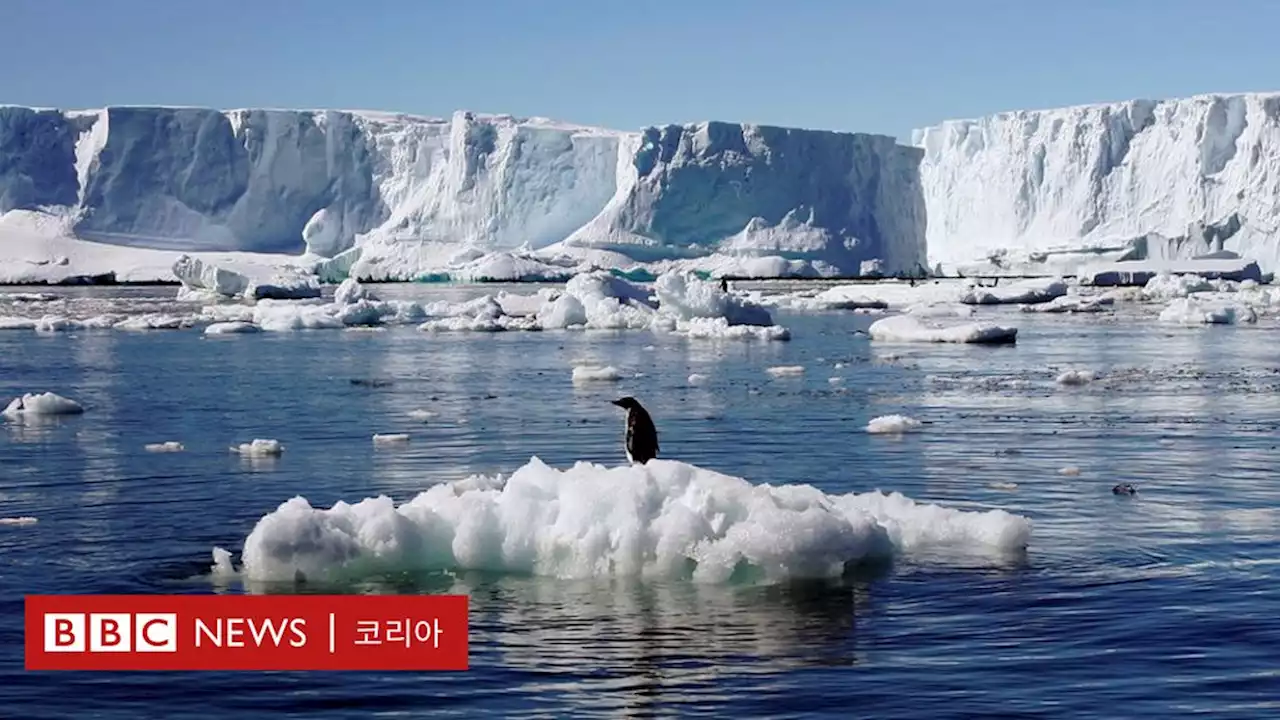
(666, 520)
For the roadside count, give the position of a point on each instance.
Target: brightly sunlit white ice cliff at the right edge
(1156, 180)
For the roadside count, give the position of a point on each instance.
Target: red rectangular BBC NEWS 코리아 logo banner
(308, 632)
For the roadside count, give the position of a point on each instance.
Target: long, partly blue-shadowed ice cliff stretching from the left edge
(412, 194)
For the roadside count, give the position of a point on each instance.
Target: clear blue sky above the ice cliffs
(871, 66)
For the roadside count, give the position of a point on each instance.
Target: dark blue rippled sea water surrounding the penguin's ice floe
(1156, 605)
